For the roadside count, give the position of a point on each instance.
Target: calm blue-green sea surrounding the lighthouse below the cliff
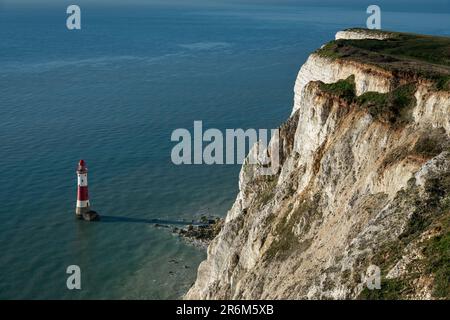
(112, 93)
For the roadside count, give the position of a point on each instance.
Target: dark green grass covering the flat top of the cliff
(411, 54)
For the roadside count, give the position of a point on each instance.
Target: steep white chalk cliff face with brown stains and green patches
(364, 181)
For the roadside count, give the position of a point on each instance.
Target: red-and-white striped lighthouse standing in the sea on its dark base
(83, 209)
